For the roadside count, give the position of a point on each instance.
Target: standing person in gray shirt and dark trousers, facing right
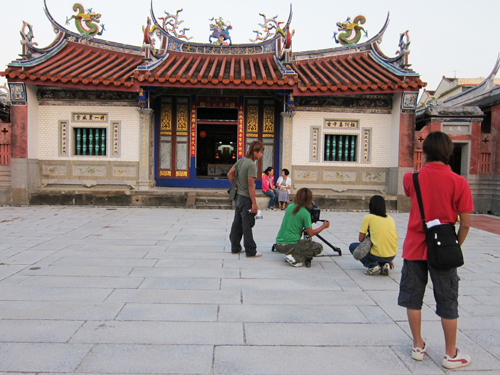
(243, 174)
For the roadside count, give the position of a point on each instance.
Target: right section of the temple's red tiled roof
(349, 72)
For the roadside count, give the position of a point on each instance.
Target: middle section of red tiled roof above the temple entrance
(244, 70)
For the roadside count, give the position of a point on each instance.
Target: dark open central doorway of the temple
(216, 146)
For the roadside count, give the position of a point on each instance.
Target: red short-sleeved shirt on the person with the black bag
(445, 194)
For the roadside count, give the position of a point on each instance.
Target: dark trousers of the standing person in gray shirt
(243, 223)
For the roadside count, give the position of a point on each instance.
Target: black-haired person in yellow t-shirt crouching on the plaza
(382, 229)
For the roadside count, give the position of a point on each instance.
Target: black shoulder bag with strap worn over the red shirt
(443, 249)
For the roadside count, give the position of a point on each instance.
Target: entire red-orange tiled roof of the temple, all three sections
(78, 65)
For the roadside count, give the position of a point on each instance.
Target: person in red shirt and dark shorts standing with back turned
(445, 195)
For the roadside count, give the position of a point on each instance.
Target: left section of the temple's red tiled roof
(77, 63)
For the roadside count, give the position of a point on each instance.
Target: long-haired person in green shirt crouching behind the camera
(297, 218)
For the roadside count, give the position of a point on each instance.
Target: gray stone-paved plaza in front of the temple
(156, 290)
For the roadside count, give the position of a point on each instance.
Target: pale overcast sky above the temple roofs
(448, 38)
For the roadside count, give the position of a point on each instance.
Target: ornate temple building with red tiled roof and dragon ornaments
(175, 113)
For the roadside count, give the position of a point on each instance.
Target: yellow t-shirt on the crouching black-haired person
(382, 234)
